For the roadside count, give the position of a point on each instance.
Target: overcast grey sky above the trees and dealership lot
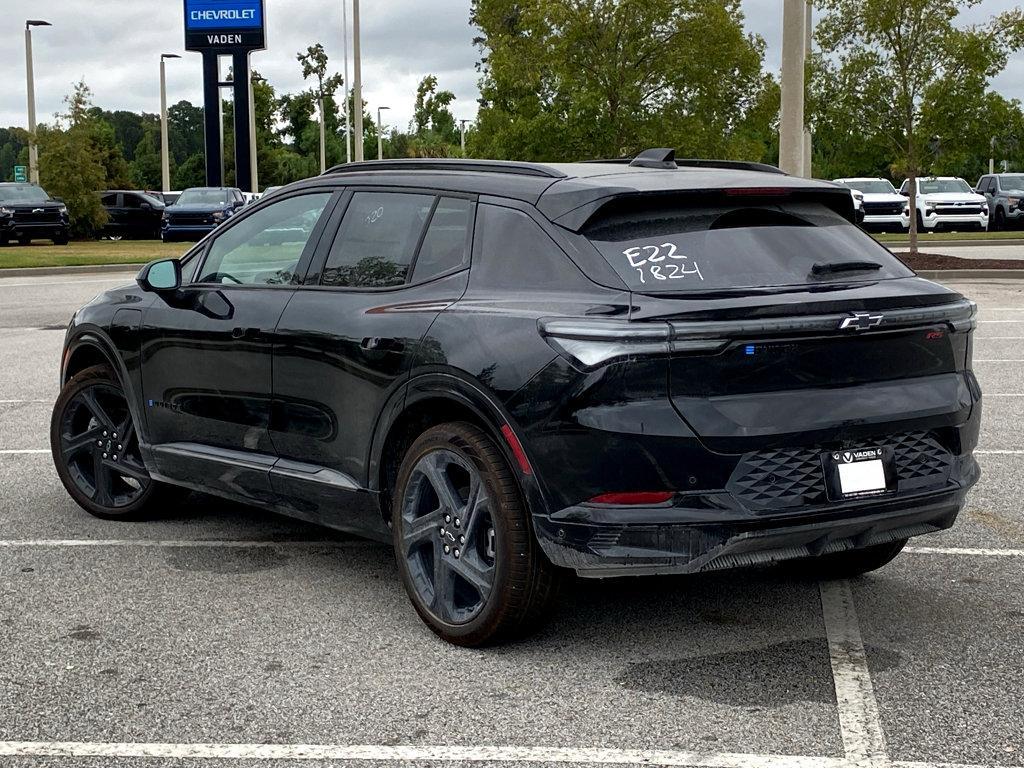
(115, 46)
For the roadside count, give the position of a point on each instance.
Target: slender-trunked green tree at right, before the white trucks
(898, 60)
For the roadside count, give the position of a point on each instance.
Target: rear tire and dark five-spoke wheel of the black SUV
(463, 540)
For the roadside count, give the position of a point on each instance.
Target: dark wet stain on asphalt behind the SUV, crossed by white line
(782, 674)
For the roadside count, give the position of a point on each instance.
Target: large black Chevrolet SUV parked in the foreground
(515, 370)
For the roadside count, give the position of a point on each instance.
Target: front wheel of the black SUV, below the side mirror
(96, 447)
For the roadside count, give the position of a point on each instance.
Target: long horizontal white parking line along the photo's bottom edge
(391, 755)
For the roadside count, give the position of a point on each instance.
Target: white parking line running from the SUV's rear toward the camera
(861, 725)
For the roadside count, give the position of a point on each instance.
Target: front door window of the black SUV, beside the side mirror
(266, 248)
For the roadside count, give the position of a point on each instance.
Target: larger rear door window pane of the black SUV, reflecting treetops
(377, 240)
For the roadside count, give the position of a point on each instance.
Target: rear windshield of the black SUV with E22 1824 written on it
(734, 246)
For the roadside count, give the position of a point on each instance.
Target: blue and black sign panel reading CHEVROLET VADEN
(212, 25)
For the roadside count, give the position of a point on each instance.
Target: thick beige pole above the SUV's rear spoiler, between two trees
(791, 145)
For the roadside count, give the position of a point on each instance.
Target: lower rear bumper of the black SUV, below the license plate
(604, 542)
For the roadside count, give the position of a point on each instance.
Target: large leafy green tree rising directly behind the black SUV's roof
(573, 79)
